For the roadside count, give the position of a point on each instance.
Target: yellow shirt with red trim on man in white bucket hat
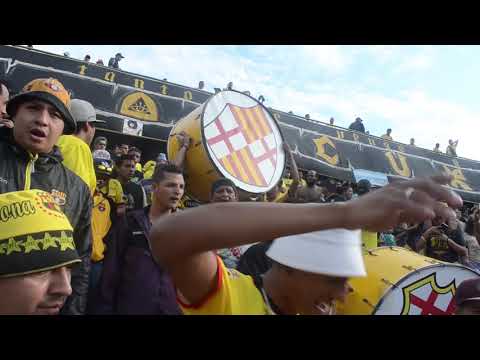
(235, 294)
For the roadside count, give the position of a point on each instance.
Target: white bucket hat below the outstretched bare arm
(336, 252)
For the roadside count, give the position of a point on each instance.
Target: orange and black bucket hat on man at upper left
(51, 91)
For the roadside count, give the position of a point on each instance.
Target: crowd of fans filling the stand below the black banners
(123, 231)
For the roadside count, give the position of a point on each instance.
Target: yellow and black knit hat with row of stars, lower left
(35, 235)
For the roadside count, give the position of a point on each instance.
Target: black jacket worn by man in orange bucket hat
(71, 193)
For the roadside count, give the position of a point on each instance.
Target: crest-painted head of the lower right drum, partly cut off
(428, 291)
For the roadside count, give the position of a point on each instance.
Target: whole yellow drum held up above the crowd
(234, 137)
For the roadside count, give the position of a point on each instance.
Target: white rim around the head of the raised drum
(241, 185)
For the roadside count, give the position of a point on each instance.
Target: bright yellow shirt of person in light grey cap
(78, 158)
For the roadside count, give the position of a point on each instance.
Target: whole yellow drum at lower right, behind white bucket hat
(401, 282)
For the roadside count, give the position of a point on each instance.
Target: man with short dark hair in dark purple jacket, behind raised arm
(132, 283)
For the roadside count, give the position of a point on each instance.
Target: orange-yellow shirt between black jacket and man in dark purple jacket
(101, 224)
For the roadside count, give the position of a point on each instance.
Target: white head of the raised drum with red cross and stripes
(243, 141)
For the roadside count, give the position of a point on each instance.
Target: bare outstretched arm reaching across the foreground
(193, 265)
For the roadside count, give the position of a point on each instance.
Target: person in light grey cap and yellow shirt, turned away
(75, 148)
